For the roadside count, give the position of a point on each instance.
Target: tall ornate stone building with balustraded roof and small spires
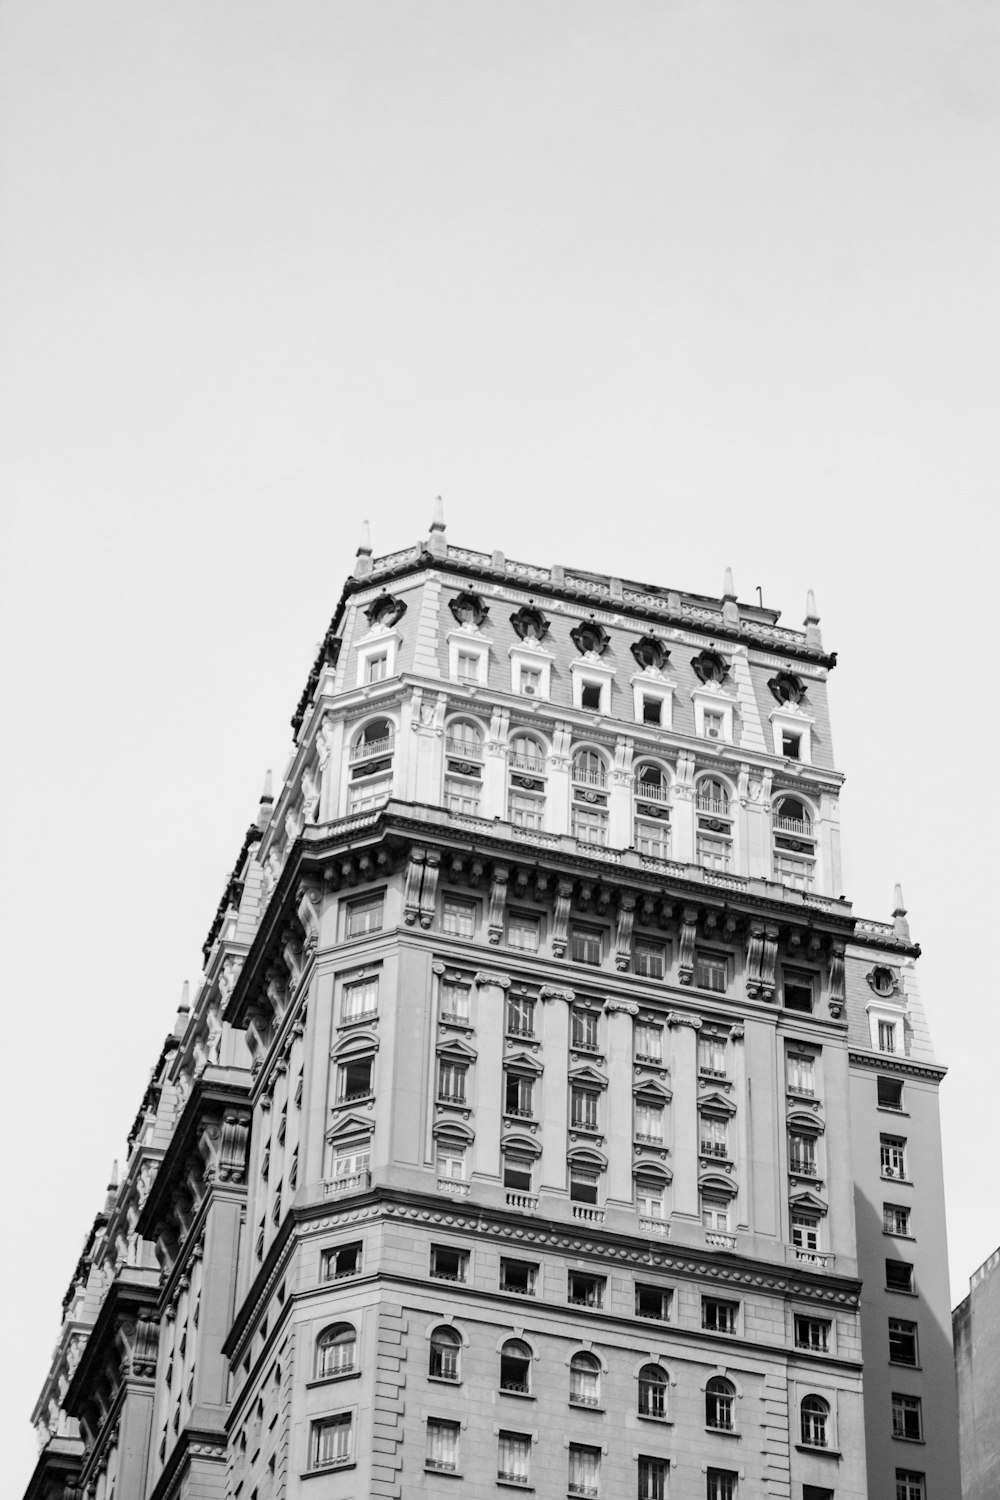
(545, 1118)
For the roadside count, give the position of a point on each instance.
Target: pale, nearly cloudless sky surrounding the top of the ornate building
(648, 289)
